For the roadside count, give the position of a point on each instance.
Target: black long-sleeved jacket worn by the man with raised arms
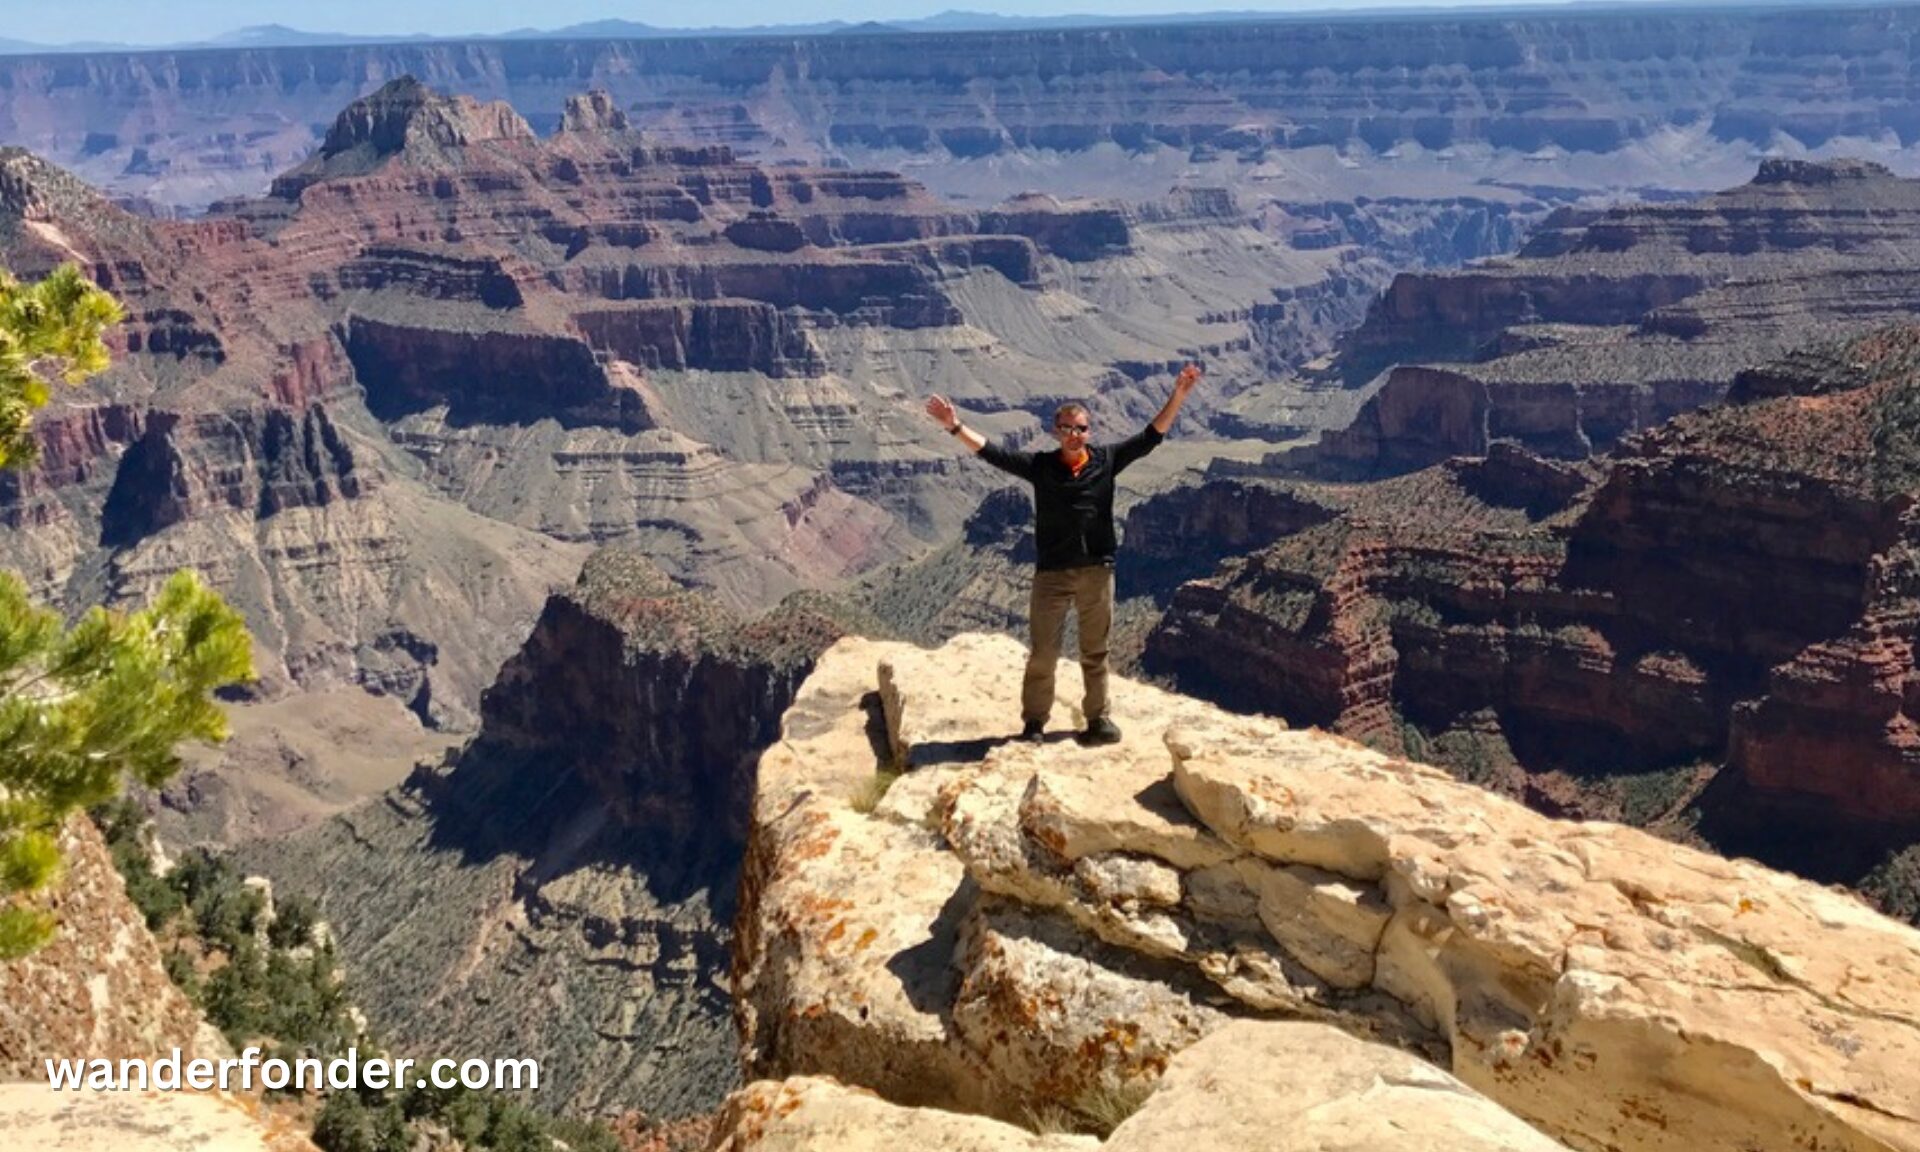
(1074, 516)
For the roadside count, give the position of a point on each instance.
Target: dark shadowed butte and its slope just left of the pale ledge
(564, 886)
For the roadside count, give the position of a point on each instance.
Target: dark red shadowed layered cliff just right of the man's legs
(1731, 588)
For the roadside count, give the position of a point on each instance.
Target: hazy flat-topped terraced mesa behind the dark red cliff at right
(1614, 322)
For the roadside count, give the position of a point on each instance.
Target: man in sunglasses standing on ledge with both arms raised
(1074, 537)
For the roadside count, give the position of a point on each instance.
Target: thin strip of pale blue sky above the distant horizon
(164, 22)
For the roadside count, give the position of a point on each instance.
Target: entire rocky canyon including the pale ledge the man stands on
(554, 416)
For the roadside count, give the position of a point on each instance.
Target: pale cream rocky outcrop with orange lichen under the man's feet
(1015, 926)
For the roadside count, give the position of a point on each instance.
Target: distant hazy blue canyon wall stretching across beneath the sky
(1573, 101)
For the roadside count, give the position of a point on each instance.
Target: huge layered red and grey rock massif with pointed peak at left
(408, 389)
